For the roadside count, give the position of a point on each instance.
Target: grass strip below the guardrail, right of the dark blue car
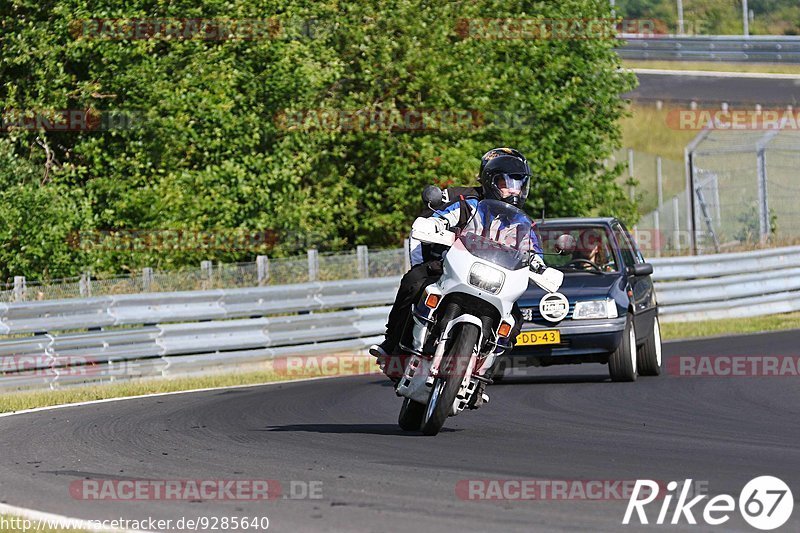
(711, 328)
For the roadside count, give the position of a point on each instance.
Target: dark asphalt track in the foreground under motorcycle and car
(562, 423)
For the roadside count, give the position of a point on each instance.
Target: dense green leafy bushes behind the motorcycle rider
(208, 146)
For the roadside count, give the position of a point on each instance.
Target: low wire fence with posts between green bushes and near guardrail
(314, 266)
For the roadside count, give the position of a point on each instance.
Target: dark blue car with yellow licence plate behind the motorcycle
(605, 311)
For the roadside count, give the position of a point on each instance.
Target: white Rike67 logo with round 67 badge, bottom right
(765, 503)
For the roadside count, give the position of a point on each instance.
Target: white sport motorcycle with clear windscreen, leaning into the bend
(462, 322)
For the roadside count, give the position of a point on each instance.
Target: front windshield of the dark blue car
(593, 250)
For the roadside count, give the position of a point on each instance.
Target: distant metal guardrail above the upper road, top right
(773, 49)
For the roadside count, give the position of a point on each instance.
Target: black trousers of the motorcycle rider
(411, 286)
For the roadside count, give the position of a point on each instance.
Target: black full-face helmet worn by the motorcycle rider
(505, 175)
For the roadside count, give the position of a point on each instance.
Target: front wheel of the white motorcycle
(445, 387)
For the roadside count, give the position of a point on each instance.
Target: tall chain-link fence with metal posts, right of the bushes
(744, 193)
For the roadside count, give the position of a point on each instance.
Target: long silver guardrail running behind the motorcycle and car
(162, 334)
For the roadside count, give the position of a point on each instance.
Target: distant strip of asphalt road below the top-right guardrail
(707, 90)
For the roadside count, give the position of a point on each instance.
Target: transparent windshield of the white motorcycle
(498, 233)
